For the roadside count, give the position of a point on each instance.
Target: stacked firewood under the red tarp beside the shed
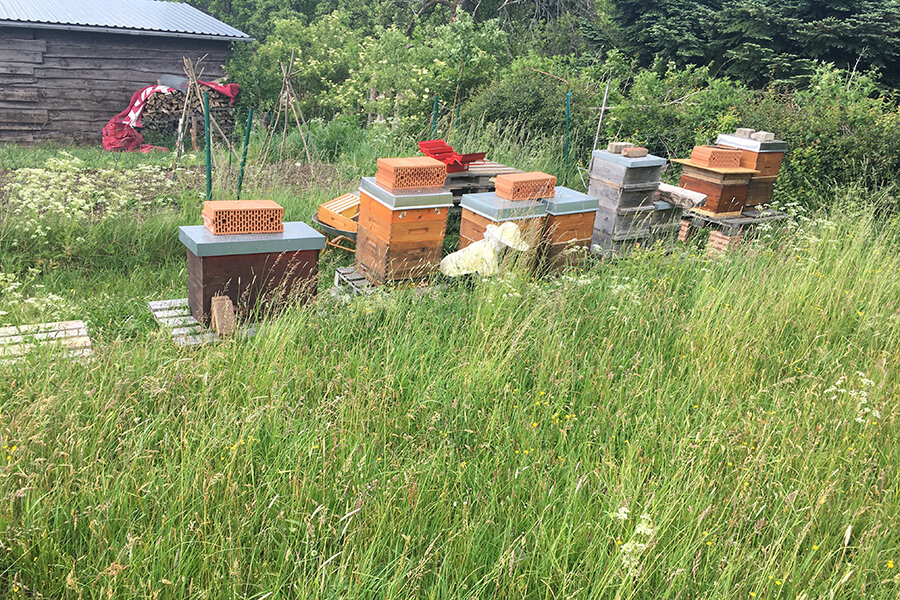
(162, 112)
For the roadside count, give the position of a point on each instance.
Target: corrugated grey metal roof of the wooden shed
(129, 16)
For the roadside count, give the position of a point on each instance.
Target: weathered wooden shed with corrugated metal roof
(67, 67)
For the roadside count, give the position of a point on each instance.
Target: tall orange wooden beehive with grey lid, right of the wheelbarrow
(399, 236)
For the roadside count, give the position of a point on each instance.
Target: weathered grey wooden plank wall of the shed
(65, 85)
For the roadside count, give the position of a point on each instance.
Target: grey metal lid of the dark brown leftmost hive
(296, 236)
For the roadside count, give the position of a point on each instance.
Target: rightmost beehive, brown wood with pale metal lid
(761, 152)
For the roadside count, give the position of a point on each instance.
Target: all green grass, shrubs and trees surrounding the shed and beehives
(662, 426)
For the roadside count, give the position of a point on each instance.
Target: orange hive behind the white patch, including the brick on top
(518, 197)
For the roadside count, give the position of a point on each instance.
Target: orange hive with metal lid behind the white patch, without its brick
(481, 210)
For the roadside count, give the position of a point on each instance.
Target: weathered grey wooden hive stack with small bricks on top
(625, 178)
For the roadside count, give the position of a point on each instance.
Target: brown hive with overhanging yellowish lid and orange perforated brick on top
(717, 172)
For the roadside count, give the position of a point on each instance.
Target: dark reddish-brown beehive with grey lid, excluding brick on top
(252, 270)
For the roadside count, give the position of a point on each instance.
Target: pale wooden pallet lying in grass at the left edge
(67, 338)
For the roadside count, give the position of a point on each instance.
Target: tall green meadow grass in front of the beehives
(663, 426)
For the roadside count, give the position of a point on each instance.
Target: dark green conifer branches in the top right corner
(759, 41)
